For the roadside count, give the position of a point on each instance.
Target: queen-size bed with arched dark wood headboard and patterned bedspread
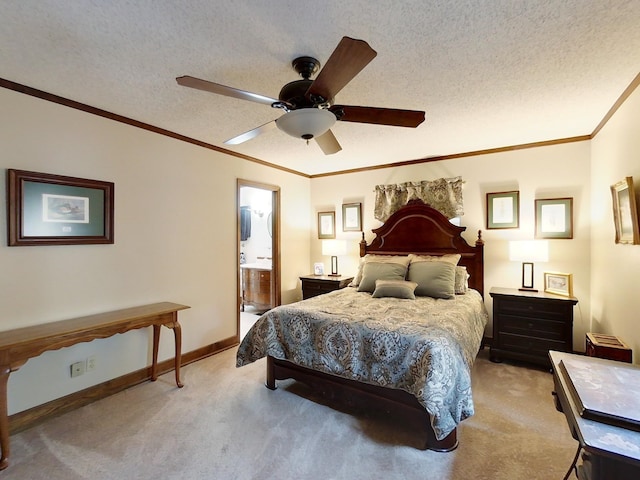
(381, 352)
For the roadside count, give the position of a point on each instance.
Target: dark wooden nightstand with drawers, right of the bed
(526, 325)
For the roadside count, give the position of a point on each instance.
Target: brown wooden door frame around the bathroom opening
(276, 291)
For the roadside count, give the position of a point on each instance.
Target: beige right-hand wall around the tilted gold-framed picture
(614, 274)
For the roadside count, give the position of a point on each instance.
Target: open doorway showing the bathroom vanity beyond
(258, 251)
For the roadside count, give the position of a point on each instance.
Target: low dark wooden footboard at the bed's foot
(362, 395)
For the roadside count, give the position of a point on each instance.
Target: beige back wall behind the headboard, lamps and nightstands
(544, 172)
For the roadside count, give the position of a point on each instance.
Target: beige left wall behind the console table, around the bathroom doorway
(175, 240)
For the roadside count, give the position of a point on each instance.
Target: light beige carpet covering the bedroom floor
(224, 424)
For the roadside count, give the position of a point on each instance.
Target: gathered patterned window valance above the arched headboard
(443, 194)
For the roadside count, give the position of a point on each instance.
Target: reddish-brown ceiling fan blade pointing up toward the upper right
(346, 61)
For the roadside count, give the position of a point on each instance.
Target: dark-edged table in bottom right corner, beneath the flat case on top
(611, 452)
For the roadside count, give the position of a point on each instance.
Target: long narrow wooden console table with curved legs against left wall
(19, 345)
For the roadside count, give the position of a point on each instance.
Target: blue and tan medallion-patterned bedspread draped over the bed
(424, 346)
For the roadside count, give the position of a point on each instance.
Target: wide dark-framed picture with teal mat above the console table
(47, 209)
